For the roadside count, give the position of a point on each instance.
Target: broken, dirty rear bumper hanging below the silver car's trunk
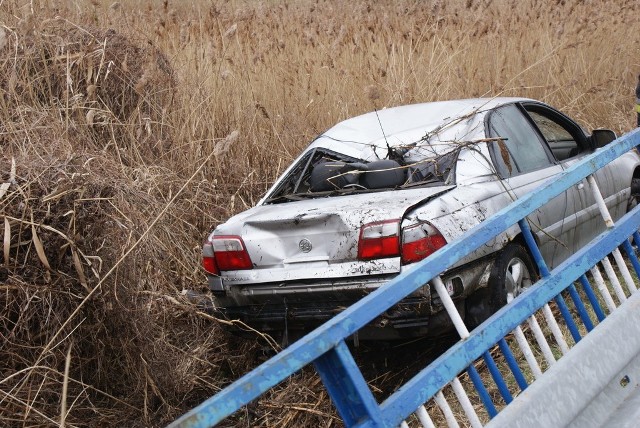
(303, 305)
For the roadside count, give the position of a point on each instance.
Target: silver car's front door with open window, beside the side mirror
(569, 144)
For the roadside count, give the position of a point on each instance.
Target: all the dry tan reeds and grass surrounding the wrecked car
(135, 127)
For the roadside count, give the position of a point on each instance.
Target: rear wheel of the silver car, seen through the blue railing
(513, 271)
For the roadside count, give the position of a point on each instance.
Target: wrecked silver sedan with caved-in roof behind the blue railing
(377, 193)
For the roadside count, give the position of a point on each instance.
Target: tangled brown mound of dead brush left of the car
(99, 237)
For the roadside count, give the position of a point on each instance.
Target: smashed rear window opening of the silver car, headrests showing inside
(325, 173)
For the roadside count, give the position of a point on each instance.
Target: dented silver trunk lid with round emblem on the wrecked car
(318, 237)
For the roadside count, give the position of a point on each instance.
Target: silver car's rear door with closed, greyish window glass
(524, 162)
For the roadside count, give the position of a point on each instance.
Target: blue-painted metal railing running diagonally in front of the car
(325, 347)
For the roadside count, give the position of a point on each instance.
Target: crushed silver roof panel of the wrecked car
(407, 124)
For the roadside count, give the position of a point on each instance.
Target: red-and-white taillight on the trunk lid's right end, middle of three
(379, 240)
